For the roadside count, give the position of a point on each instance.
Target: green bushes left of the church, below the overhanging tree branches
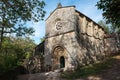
(14, 51)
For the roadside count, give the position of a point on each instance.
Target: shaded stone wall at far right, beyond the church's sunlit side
(112, 44)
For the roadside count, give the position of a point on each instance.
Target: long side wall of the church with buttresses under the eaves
(90, 37)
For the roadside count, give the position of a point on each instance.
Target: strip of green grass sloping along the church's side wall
(88, 70)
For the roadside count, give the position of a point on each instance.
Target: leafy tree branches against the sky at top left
(14, 12)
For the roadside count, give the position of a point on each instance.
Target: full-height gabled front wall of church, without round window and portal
(64, 37)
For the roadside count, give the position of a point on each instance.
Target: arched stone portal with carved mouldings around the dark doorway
(59, 58)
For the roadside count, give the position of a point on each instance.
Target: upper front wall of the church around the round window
(63, 15)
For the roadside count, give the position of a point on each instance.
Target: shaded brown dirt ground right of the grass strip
(112, 72)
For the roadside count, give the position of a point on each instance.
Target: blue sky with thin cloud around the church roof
(86, 7)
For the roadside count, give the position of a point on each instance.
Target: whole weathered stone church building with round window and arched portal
(72, 39)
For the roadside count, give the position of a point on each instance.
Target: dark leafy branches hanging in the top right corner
(111, 11)
